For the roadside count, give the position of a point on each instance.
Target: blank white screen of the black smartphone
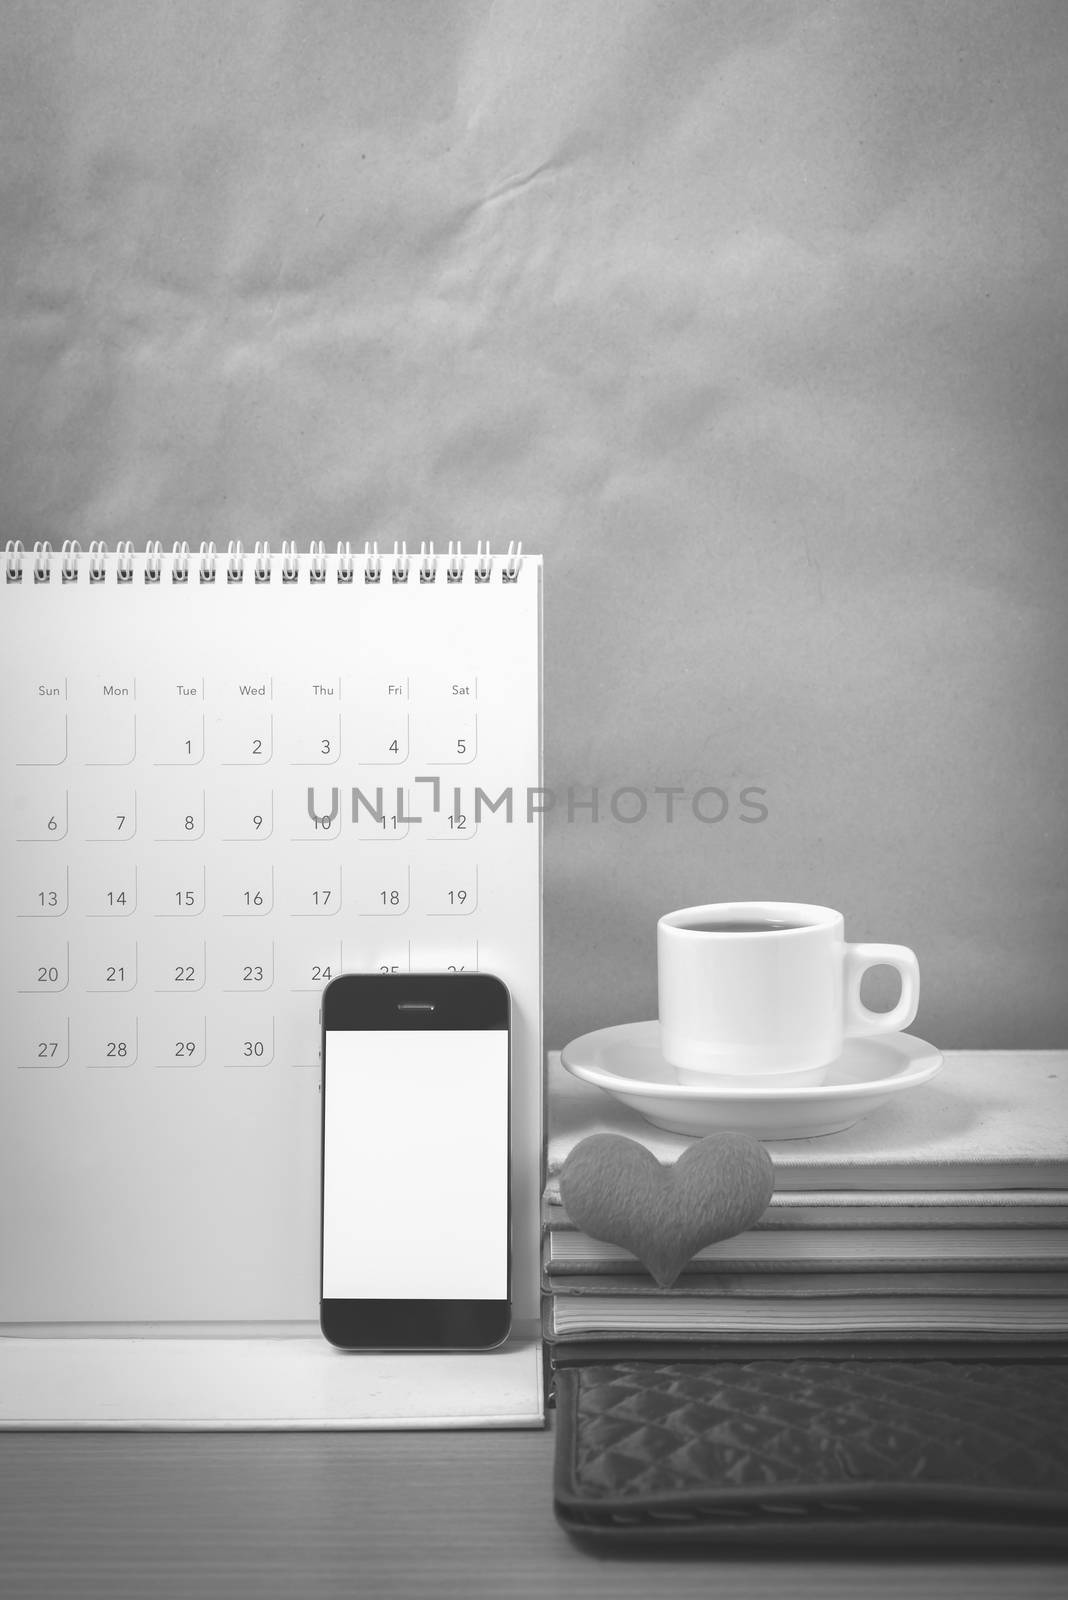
(416, 1166)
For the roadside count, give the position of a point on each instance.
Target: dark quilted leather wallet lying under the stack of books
(816, 1454)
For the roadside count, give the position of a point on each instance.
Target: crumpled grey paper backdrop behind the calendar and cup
(752, 318)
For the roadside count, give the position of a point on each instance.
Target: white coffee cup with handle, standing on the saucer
(762, 994)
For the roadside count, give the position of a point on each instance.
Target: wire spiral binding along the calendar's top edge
(207, 566)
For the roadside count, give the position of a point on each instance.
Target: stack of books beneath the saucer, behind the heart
(941, 1220)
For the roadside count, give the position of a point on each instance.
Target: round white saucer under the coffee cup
(629, 1065)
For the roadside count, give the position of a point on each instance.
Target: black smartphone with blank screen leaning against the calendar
(416, 1166)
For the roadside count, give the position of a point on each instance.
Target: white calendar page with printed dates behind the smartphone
(185, 873)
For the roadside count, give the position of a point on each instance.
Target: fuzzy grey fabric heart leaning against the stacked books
(616, 1191)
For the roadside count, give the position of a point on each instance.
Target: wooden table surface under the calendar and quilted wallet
(151, 1516)
